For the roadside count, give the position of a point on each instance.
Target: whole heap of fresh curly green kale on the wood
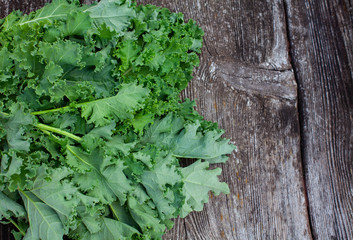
(92, 130)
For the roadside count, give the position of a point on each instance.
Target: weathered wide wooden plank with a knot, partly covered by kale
(246, 84)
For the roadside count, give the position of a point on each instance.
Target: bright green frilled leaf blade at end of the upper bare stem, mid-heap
(122, 106)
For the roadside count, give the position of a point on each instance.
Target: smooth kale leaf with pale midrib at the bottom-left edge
(44, 222)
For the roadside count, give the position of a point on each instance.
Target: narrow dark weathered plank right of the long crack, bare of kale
(321, 34)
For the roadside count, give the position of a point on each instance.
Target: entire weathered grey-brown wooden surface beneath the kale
(278, 77)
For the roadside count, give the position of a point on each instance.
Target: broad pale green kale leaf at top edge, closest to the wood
(112, 14)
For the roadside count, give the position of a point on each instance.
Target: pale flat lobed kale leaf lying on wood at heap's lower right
(198, 181)
